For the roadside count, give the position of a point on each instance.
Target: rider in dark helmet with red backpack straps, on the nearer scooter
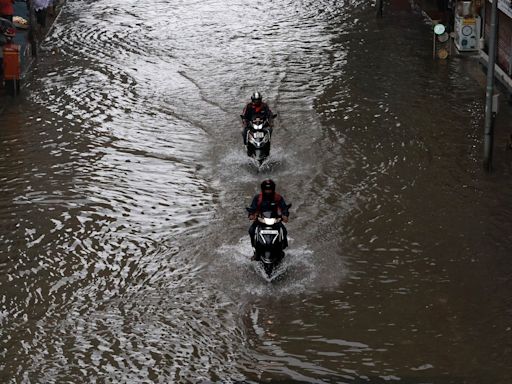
(268, 200)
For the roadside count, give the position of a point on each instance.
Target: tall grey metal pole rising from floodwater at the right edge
(488, 136)
